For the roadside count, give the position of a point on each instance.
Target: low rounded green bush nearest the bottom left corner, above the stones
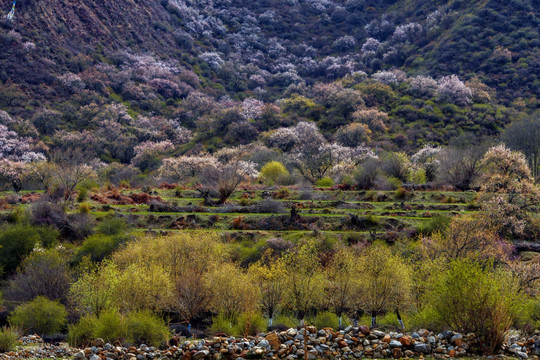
(40, 316)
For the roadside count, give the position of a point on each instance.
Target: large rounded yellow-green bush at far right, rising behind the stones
(474, 297)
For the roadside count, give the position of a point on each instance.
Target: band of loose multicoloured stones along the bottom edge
(350, 343)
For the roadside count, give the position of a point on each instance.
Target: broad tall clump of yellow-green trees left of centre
(151, 273)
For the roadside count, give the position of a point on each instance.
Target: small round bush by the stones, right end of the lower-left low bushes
(143, 327)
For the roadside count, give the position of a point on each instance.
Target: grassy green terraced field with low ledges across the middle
(284, 212)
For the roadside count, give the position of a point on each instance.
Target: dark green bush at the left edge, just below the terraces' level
(18, 241)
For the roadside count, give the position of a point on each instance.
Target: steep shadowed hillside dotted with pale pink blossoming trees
(65, 64)
